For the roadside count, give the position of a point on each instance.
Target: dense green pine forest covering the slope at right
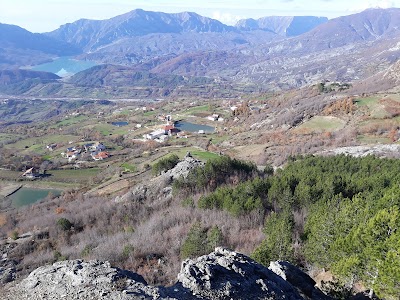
(340, 213)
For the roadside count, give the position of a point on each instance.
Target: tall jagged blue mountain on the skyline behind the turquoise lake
(93, 34)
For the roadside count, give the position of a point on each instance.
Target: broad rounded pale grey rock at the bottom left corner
(77, 279)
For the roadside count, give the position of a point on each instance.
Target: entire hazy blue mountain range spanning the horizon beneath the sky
(277, 52)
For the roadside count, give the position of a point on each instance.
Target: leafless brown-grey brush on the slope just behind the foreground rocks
(140, 236)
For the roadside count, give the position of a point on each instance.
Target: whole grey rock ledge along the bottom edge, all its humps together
(223, 274)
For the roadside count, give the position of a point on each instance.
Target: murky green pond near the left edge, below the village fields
(27, 196)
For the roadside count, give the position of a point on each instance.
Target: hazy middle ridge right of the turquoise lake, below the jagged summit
(156, 46)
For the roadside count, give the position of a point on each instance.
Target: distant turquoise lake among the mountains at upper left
(65, 66)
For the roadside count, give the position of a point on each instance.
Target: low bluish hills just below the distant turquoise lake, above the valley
(116, 82)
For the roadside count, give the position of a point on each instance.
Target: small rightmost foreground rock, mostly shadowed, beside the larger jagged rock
(298, 279)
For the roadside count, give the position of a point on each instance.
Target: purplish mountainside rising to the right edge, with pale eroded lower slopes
(344, 49)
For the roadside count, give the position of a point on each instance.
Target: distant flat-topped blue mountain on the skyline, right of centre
(284, 26)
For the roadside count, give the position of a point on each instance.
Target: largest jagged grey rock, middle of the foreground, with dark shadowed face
(226, 274)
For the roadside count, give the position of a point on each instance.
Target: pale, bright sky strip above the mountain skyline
(48, 15)
